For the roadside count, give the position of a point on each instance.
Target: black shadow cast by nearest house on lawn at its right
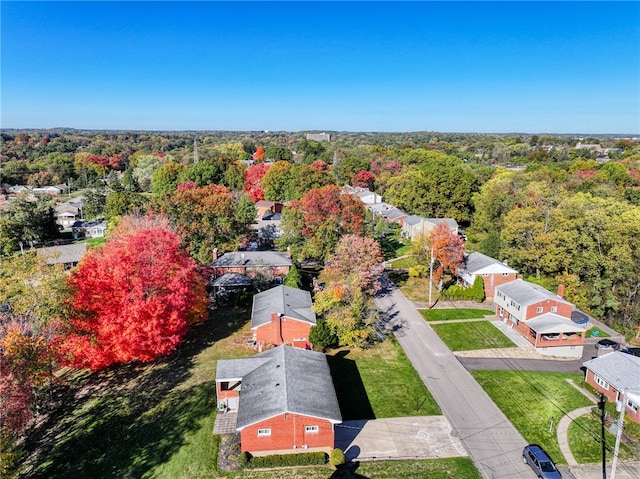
(350, 390)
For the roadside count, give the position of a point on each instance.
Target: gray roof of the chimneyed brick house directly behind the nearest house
(292, 302)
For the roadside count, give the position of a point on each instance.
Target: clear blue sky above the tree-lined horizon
(531, 67)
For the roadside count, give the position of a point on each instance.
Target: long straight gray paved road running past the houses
(491, 440)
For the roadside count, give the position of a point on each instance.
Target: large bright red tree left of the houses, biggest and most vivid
(134, 299)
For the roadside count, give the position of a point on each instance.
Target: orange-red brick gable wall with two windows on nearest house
(287, 431)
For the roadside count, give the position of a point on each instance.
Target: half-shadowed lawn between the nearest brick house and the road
(379, 382)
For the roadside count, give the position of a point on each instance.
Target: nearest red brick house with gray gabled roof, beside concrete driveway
(284, 398)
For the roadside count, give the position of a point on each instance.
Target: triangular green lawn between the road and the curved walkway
(534, 402)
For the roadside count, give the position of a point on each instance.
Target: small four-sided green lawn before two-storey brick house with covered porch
(467, 336)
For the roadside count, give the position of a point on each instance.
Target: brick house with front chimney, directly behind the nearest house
(282, 315)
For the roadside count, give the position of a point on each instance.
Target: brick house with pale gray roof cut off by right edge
(616, 374)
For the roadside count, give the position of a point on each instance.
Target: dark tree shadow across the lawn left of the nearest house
(125, 420)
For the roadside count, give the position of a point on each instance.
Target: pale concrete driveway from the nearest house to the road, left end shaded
(422, 437)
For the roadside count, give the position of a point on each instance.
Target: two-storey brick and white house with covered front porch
(542, 317)
